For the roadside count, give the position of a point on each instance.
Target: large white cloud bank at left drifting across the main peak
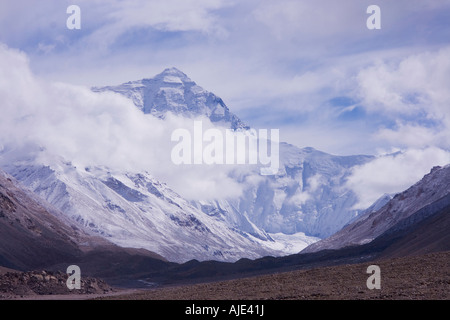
(90, 129)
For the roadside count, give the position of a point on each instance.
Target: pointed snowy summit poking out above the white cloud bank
(173, 91)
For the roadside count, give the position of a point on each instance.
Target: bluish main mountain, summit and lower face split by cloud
(306, 196)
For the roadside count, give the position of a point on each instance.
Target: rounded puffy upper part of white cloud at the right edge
(416, 83)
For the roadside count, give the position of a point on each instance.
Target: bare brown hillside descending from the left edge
(31, 236)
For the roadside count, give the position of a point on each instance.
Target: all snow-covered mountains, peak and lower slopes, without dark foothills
(305, 201)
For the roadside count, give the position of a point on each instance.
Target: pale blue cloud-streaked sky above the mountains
(311, 69)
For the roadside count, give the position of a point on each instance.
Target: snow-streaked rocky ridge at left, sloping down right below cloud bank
(136, 210)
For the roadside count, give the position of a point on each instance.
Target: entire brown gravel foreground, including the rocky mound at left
(422, 277)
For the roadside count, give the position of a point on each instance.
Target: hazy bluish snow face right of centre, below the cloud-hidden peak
(306, 196)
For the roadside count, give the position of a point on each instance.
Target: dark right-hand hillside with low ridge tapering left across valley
(417, 231)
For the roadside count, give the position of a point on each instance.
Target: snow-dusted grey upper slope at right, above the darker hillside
(434, 189)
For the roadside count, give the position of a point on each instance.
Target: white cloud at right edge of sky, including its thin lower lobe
(414, 93)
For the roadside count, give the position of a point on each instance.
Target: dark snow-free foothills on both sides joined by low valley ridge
(40, 236)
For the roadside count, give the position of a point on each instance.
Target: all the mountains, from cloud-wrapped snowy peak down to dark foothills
(106, 219)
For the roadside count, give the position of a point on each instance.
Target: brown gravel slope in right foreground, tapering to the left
(425, 277)
